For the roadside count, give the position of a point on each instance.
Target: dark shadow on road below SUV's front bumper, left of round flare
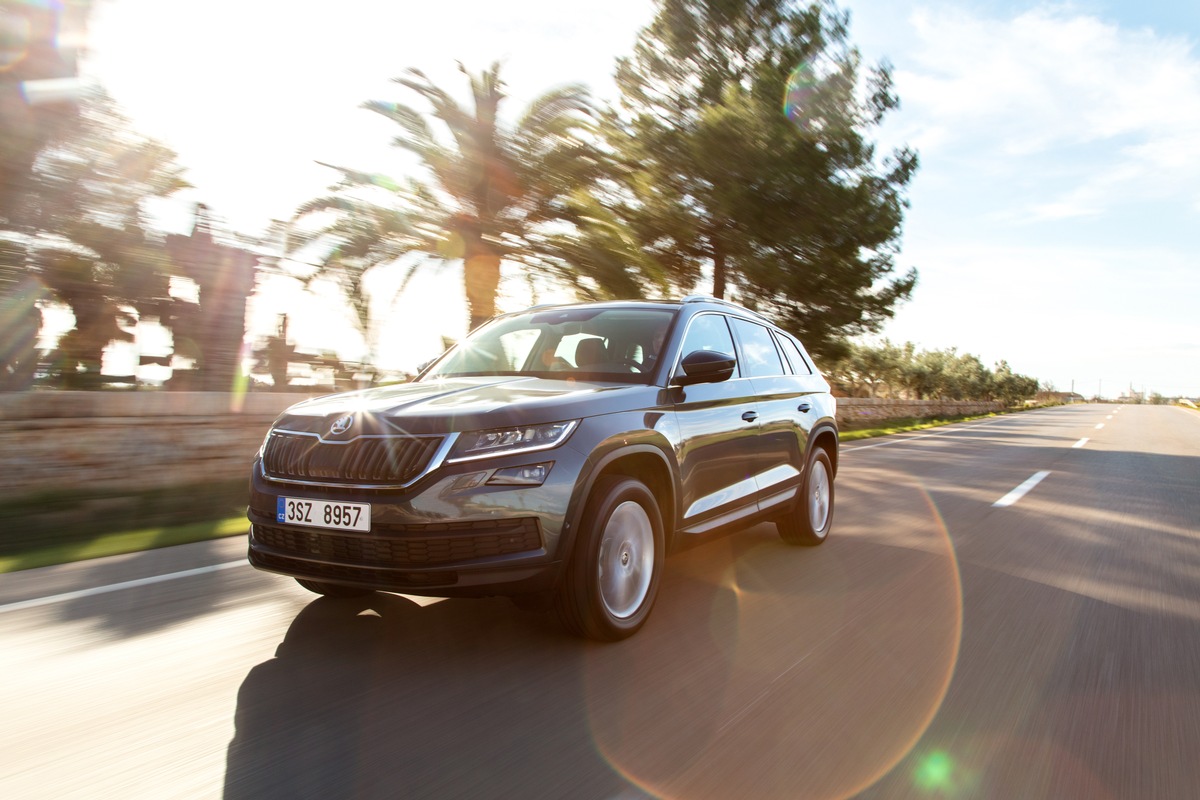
(379, 697)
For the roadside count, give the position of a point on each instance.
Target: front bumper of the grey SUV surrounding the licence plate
(441, 538)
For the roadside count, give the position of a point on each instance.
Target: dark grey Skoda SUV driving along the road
(554, 455)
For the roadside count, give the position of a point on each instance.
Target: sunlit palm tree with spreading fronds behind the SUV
(489, 189)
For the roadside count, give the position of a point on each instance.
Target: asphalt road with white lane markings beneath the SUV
(938, 646)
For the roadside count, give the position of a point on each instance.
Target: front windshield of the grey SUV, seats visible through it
(585, 342)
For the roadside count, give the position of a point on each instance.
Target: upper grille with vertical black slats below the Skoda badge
(368, 460)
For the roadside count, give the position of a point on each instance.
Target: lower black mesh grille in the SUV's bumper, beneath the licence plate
(407, 546)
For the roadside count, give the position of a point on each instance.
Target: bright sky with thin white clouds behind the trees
(1053, 219)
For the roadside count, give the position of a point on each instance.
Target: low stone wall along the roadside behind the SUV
(64, 442)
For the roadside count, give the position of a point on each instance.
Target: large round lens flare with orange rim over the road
(773, 672)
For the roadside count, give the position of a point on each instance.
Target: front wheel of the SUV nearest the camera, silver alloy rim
(613, 578)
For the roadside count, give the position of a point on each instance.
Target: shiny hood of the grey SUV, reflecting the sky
(465, 405)
